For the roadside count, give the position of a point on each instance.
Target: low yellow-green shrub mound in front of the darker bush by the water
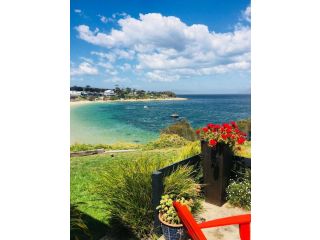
(166, 141)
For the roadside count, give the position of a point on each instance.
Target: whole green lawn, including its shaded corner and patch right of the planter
(87, 175)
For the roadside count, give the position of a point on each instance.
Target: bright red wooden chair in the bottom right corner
(194, 229)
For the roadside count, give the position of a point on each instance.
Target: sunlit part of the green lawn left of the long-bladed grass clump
(87, 173)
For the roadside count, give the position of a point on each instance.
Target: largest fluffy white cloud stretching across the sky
(165, 48)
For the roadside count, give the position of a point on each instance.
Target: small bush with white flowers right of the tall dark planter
(239, 192)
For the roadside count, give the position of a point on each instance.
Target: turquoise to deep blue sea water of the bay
(132, 122)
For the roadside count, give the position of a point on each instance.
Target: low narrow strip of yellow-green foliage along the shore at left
(117, 146)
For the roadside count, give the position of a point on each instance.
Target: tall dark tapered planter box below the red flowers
(216, 164)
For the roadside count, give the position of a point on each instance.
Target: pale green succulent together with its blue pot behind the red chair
(170, 223)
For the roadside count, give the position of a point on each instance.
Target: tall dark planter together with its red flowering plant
(218, 143)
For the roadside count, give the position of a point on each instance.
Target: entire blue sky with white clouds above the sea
(183, 46)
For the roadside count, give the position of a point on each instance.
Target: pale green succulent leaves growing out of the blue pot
(167, 210)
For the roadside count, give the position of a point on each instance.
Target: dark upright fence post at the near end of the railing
(157, 191)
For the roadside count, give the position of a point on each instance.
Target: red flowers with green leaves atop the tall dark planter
(227, 133)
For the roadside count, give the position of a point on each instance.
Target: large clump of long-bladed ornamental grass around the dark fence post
(127, 189)
